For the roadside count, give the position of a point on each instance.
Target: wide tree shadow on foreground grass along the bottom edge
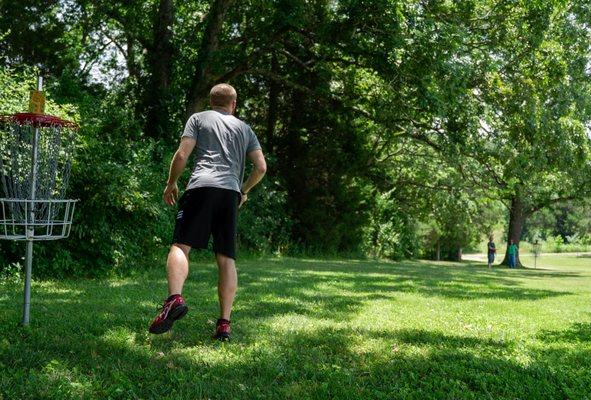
(336, 363)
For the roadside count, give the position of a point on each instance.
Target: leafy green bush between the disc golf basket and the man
(120, 221)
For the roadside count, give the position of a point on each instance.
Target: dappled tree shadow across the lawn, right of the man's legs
(386, 280)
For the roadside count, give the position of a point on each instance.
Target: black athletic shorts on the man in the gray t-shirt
(208, 211)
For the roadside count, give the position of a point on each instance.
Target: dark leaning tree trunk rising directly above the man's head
(202, 79)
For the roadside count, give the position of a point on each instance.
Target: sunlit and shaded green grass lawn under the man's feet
(311, 329)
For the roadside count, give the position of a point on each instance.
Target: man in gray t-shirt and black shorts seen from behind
(210, 203)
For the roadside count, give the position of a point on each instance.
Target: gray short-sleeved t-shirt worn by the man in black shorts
(222, 144)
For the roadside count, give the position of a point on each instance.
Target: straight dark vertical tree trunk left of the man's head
(160, 60)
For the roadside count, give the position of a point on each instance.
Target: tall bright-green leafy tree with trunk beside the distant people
(506, 99)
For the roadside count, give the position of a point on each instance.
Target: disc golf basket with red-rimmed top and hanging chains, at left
(35, 158)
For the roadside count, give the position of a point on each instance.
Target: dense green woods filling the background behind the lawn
(393, 128)
